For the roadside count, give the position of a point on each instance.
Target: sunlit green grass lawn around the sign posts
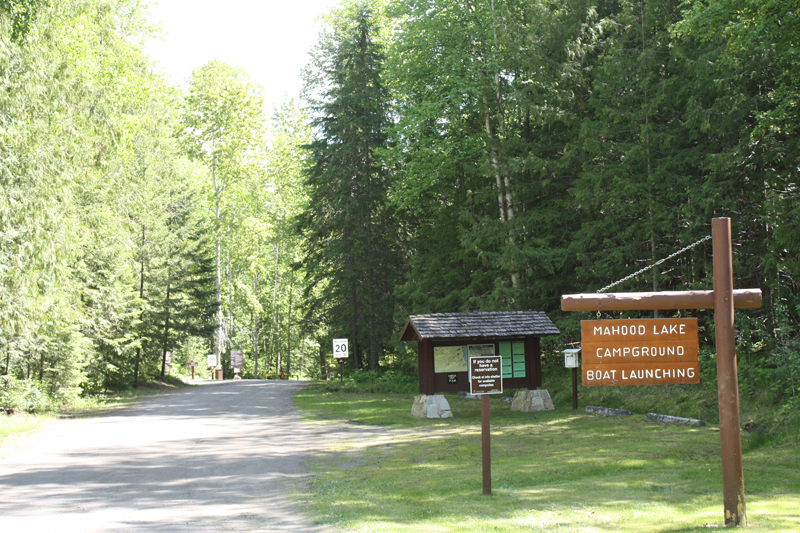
(562, 471)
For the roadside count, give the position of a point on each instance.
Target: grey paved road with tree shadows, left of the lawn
(219, 457)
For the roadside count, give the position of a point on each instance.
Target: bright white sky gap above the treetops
(270, 39)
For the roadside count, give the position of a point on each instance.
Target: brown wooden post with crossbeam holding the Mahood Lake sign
(723, 299)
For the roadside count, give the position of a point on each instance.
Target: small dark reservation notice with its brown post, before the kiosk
(485, 378)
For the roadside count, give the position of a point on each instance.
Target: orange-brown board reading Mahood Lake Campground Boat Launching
(640, 351)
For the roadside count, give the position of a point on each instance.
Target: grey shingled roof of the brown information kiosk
(479, 324)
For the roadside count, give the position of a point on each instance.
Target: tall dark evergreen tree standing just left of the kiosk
(349, 229)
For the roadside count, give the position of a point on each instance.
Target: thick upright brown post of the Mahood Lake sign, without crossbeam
(727, 376)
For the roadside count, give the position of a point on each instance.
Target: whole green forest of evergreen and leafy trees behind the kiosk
(446, 156)
